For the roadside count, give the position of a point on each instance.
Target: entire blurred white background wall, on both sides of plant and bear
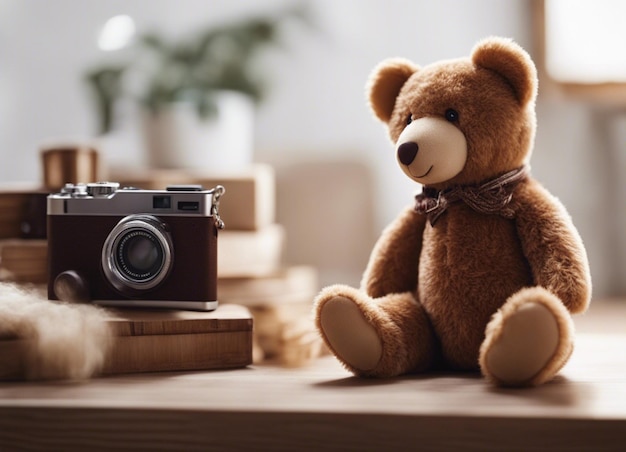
(316, 109)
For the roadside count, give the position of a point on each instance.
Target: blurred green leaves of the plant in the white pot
(162, 71)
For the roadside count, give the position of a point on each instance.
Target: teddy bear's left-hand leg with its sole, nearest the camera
(380, 337)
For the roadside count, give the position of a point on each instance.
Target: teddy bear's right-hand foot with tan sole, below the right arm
(528, 340)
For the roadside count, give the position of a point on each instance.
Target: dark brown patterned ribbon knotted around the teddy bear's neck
(491, 197)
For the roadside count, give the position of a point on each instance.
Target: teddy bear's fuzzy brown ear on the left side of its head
(385, 83)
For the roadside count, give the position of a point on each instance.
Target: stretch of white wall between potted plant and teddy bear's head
(320, 108)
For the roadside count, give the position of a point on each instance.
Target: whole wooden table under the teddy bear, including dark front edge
(321, 406)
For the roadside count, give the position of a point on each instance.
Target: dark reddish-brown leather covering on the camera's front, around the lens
(75, 243)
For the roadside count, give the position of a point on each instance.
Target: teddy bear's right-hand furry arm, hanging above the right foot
(553, 247)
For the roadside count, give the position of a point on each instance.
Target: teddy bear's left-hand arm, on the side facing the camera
(394, 261)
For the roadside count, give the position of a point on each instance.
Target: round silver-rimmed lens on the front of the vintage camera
(137, 254)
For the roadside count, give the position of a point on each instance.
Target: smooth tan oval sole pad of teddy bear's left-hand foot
(351, 337)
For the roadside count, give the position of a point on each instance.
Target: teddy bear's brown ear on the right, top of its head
(508, 59)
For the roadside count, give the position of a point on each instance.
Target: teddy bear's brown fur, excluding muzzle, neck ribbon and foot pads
(431, 291)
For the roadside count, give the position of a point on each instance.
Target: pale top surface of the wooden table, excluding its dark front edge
(592, 386)
